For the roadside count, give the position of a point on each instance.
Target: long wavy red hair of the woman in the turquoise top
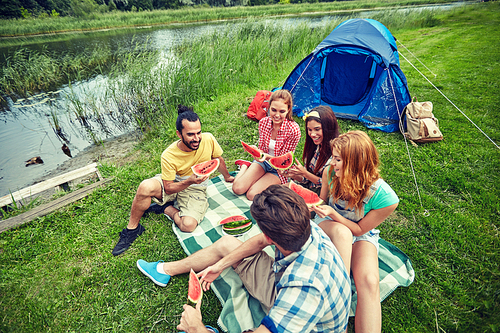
(360, 165)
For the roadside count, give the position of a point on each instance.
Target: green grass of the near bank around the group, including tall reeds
(57, 273)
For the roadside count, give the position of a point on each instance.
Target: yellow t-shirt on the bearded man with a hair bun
(176, 164)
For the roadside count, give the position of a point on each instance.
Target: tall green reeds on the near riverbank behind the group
(209, 66)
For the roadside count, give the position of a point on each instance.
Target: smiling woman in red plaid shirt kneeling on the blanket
(278, 135)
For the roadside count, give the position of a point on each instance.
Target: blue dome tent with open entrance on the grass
(355, 71)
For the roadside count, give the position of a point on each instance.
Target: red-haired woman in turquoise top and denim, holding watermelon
(358, 201)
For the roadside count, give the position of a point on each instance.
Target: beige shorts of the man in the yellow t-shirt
(191, 201)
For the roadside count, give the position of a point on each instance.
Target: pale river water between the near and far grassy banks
(41, 124)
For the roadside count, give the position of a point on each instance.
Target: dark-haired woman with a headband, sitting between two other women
(322, 128)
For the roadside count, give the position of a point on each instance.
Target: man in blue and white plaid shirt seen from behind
(305, 288)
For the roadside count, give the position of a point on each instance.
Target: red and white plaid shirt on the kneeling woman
(286, 140)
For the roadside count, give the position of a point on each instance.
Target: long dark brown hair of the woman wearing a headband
(330, 129)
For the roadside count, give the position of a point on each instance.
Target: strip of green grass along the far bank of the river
(117, 19)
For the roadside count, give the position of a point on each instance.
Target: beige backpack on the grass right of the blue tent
(421, 125)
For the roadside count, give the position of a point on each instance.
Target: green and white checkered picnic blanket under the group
(240, 311)
